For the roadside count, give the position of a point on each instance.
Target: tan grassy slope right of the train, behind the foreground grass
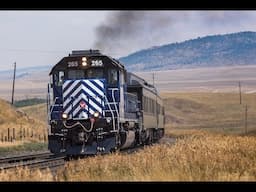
(219, 112)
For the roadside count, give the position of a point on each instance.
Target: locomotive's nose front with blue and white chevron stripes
(83, 99)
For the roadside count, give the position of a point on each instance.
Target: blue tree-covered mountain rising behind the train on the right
(210, 51)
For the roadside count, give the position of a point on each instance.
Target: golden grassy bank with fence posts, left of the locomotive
(27, 128)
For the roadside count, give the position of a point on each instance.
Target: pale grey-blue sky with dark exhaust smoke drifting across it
(35, 38)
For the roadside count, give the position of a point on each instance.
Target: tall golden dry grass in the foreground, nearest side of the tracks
(199, 156)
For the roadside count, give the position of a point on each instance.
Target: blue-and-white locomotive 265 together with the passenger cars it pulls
(95, 106)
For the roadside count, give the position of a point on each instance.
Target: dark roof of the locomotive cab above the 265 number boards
(87, 53)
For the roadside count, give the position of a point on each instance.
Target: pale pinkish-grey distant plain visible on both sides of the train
(215, 79)
